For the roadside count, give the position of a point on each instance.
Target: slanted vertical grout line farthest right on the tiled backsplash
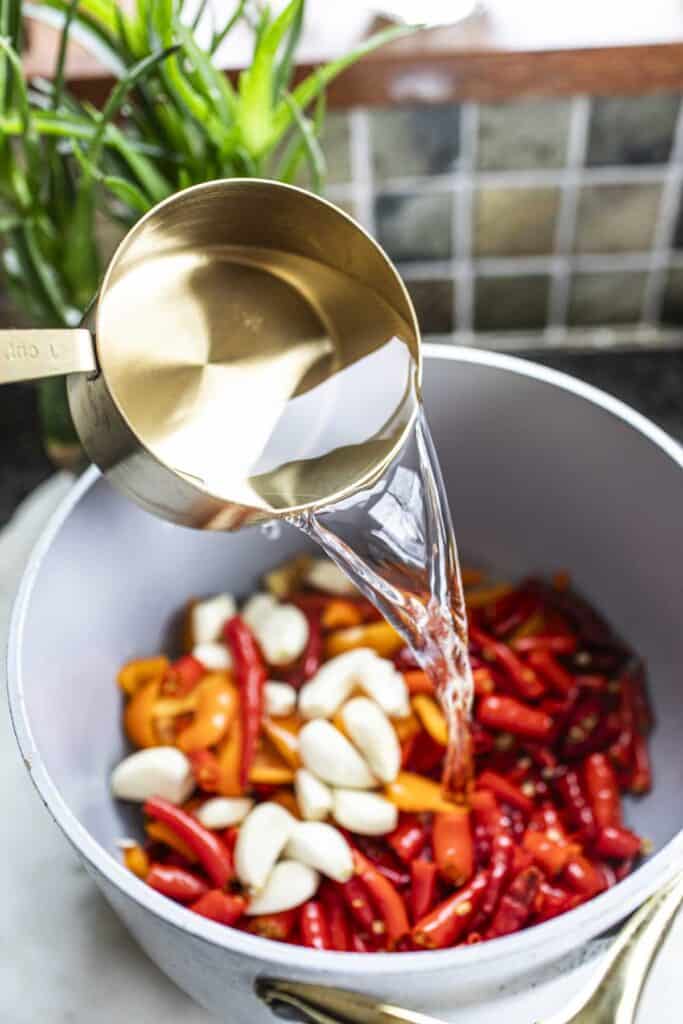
(665, 229)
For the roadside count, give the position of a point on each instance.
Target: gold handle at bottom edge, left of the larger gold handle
(320, 1005)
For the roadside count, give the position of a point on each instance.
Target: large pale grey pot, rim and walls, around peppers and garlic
(542, 472)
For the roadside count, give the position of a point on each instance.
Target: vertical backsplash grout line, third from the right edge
(463, 294)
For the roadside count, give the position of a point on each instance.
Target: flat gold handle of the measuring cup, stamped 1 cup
(30, 355)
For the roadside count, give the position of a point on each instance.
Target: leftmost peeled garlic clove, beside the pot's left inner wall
(157, 772)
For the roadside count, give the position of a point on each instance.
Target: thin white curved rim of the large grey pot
(577, 926)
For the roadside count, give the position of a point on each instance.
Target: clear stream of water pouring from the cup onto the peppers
(396, 541)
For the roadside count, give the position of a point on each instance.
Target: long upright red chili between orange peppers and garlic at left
(251, 676)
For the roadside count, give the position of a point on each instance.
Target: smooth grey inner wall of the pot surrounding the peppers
(539, 479)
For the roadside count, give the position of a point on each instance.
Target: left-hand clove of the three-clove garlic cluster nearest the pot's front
(263, 837)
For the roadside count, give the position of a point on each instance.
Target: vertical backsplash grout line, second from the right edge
(566, 229)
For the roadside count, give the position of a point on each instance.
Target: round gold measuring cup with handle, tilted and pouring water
(252, 354)
